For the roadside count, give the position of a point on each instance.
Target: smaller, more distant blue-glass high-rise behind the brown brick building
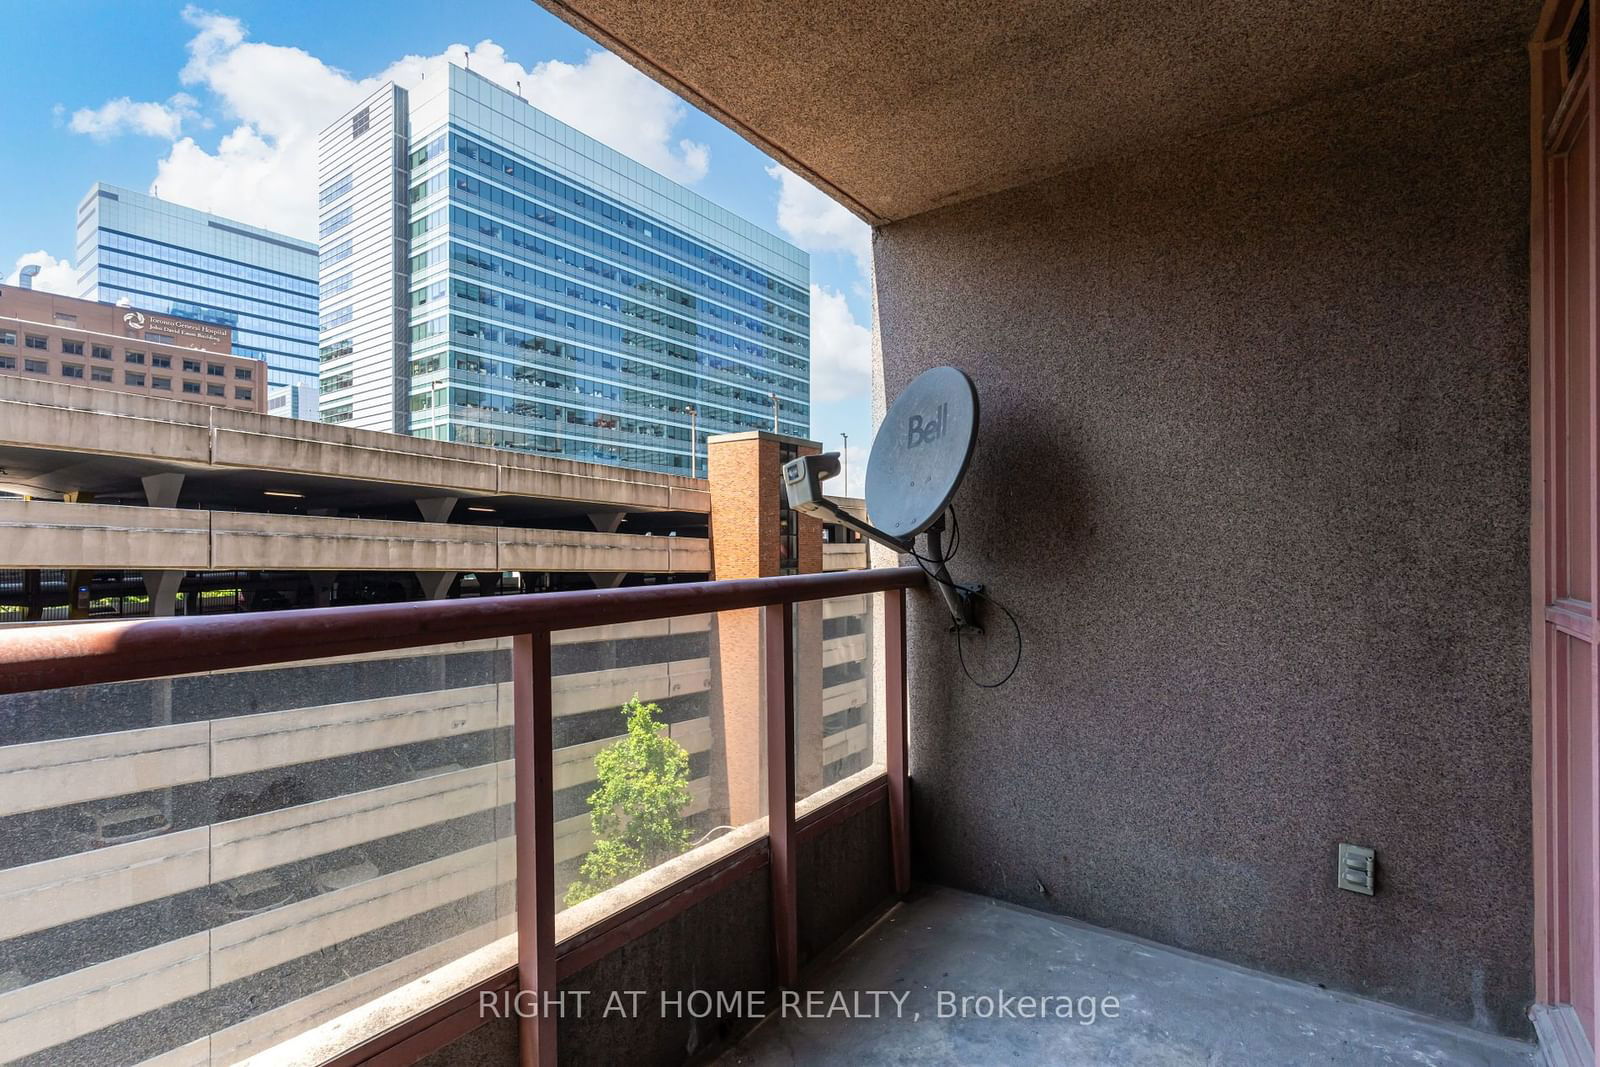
(178, 262)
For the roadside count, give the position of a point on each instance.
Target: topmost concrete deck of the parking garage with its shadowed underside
(62, 439)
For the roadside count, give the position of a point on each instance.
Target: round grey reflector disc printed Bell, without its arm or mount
(921, 454)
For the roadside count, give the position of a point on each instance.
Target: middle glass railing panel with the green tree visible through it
(658, 754)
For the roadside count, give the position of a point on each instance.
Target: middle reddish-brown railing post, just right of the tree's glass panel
(780, 668)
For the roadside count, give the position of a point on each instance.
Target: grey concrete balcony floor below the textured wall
(1175, 1009)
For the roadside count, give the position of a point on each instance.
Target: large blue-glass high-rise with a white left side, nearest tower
(495, 278)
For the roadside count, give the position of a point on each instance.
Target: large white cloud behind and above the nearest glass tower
(265, 169)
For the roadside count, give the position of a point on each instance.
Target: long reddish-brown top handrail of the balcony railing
(71, 655)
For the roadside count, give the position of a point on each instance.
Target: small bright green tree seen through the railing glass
(638, 813)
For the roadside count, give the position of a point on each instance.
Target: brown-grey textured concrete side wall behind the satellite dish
(1254, 476)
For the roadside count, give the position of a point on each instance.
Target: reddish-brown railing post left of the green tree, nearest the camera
(535, 821)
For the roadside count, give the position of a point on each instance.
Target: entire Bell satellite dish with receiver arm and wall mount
(918, 463)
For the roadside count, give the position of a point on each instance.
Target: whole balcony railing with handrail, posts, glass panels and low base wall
(337, 834)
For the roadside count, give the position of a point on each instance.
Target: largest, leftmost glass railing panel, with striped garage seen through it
(212, 865)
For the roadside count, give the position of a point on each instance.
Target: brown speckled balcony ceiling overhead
(898, 108)
